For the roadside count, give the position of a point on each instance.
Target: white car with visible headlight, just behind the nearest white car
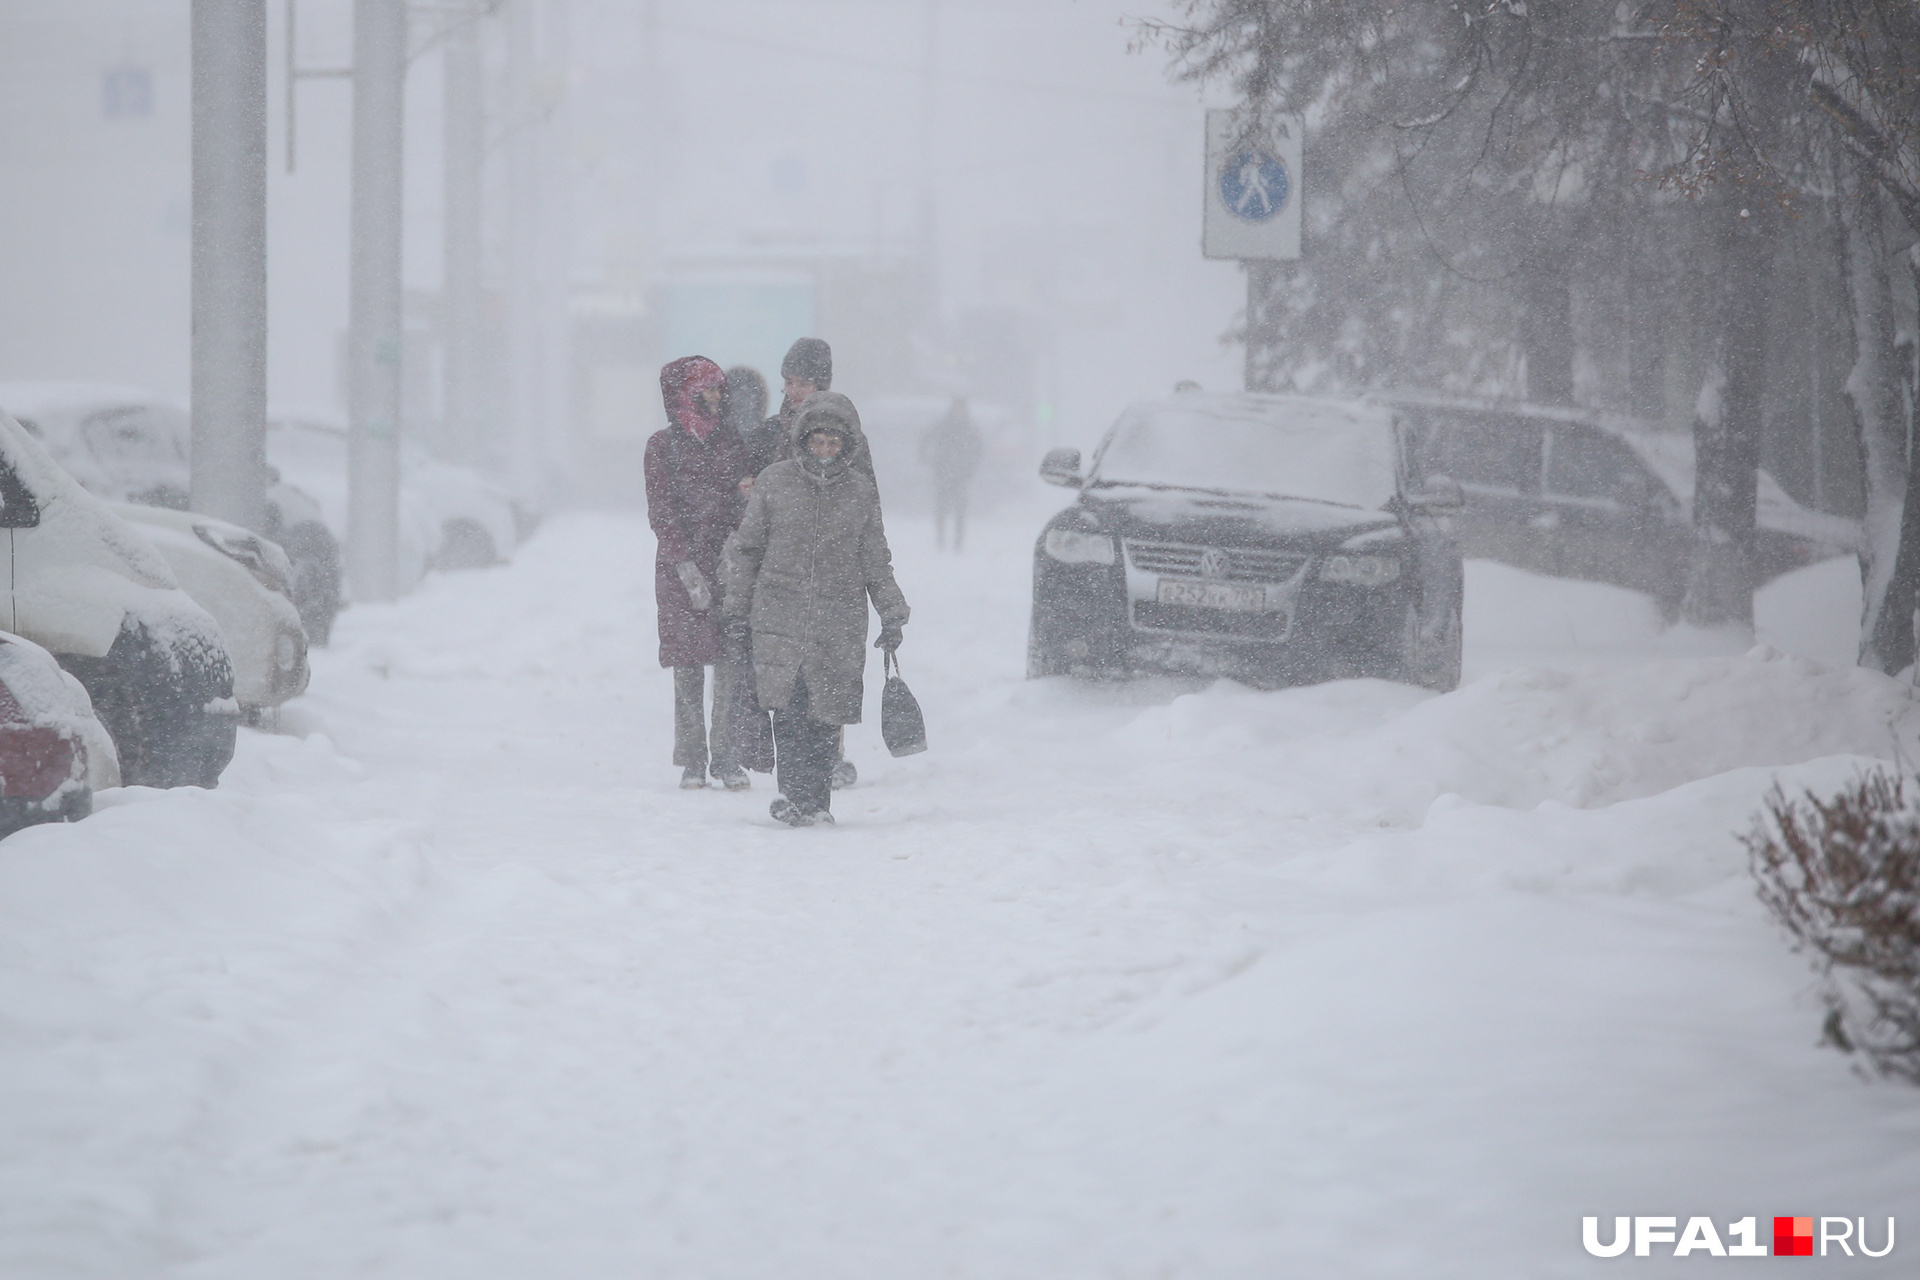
(247, 584)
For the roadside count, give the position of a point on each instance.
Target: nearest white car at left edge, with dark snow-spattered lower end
(87, 588)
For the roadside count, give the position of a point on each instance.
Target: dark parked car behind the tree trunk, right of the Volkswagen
(1591, 496)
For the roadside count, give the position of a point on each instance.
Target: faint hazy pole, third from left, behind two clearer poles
(466, 154)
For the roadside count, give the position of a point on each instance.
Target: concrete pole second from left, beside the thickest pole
(375, 298)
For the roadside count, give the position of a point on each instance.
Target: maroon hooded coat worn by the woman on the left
(694, 504)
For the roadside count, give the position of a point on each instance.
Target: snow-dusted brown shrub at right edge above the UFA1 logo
(1844, 878)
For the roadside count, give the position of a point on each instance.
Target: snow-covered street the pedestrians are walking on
(1174, 980)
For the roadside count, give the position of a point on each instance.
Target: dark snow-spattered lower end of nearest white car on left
(160, 724)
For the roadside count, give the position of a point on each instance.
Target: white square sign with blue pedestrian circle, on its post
(1253, 216)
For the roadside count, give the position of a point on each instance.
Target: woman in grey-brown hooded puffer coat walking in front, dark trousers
(800, 573)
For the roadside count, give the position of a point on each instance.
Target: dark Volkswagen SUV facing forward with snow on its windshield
(1272, 538)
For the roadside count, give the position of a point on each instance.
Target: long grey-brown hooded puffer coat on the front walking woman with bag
(804, 565)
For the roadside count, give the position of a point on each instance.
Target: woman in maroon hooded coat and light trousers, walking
(694, 502)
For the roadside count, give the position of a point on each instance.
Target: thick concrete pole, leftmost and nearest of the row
(229, 348)
